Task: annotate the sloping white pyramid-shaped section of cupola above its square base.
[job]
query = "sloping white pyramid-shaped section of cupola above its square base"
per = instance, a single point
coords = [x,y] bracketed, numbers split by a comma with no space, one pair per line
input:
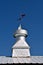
[19,45]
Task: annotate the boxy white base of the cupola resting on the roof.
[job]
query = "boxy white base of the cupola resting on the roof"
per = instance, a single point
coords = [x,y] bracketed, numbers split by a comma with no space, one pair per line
[21,53]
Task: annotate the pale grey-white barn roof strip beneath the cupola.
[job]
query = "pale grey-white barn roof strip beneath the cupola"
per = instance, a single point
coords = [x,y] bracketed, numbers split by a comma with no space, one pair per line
[31,59]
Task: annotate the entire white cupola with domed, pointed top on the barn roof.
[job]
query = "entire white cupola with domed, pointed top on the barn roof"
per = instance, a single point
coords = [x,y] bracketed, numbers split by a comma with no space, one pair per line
[20,48]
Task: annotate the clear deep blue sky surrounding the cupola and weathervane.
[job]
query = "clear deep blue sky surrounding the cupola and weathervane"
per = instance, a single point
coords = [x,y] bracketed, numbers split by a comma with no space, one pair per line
[10,10]
